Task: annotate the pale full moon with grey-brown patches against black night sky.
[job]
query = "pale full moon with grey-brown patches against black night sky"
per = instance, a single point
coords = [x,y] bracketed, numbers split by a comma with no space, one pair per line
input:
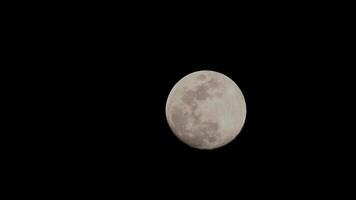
[206,109]
